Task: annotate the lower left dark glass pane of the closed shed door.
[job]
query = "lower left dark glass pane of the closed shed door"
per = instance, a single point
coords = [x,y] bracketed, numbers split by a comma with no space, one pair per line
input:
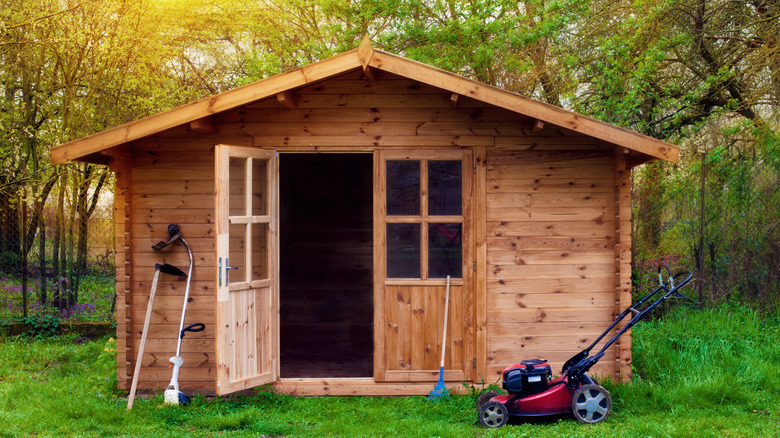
[403,251]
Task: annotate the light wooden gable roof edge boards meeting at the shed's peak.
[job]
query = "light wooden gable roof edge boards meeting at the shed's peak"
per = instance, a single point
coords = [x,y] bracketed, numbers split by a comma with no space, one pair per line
[367,58]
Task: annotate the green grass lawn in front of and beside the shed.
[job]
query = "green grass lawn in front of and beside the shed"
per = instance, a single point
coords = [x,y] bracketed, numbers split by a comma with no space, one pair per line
[697,373]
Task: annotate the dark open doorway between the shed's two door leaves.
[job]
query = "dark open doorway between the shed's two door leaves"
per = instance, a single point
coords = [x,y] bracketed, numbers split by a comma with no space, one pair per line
[326,265]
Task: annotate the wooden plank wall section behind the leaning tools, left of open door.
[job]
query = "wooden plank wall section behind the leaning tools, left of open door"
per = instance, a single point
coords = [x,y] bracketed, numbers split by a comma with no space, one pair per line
[172,182]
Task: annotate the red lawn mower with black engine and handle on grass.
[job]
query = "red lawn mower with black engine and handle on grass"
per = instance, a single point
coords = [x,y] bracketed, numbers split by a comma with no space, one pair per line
[531,391]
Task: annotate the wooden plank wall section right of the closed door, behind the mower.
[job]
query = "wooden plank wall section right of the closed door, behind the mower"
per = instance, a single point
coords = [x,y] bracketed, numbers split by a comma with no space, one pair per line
[550,250]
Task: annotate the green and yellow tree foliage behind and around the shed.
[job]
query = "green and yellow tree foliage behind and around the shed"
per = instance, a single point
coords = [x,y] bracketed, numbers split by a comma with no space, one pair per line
[701,74]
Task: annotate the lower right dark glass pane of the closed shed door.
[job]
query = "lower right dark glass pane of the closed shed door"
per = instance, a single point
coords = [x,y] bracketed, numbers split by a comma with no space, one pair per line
[445,256]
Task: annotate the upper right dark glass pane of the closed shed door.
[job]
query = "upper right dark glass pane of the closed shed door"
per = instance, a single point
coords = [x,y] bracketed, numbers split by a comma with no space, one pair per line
[444,188]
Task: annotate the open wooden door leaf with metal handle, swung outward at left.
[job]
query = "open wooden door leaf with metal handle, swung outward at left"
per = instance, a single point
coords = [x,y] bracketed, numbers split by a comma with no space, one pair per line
[247,314]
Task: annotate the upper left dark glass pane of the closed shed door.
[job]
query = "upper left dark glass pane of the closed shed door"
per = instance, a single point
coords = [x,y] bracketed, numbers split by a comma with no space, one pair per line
[403,188]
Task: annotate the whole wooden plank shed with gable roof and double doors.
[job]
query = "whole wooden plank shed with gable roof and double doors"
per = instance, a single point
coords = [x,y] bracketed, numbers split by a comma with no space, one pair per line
[344,192]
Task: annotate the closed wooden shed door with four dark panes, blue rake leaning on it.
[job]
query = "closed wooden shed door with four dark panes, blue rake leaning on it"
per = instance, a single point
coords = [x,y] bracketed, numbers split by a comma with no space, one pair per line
[422,233]
